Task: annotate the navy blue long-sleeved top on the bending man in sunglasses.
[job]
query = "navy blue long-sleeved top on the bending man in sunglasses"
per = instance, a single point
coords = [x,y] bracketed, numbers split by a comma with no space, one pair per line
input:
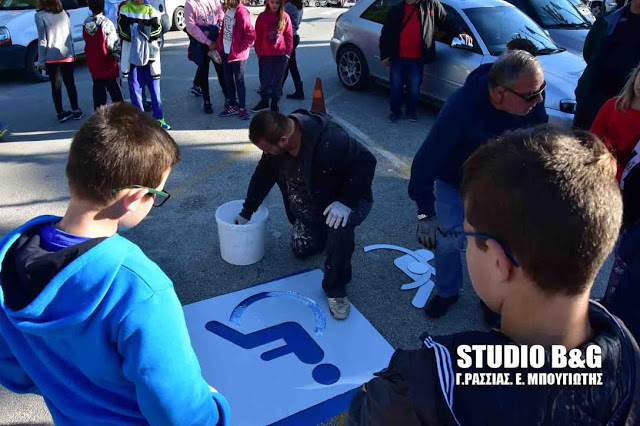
[467,121]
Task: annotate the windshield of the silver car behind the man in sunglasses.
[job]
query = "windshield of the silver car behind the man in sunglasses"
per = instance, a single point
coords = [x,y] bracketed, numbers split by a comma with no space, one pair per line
[513,24]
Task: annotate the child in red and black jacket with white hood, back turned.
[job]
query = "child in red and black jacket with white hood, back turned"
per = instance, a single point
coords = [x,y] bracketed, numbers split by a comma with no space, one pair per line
[102,49]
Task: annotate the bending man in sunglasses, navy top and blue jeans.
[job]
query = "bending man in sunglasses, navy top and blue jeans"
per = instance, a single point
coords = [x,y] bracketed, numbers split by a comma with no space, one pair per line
[483,108]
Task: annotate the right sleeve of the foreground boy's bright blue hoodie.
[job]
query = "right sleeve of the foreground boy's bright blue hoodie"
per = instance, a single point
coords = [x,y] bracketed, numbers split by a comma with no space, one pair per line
[158,358]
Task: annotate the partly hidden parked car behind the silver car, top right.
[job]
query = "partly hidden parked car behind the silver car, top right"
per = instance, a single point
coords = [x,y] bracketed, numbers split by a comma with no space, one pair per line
[561,19]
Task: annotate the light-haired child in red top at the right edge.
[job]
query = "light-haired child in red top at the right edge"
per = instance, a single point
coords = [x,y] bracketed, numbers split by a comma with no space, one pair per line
[618,121]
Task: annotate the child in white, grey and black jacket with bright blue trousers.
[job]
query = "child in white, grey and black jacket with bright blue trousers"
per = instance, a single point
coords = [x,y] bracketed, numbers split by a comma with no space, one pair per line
[140,28]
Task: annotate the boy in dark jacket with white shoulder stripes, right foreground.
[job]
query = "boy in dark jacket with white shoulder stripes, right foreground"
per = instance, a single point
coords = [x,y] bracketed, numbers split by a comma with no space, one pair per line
[543,212]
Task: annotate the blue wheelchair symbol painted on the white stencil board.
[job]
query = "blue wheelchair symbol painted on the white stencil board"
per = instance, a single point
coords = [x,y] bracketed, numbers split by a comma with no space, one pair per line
[297,340]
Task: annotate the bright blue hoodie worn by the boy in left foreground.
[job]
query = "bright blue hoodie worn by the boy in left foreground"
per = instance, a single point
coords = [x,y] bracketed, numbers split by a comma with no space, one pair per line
[99,332]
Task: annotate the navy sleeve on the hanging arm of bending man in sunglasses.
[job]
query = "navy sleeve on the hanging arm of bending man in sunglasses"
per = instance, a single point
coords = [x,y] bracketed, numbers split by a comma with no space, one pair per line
[434,155]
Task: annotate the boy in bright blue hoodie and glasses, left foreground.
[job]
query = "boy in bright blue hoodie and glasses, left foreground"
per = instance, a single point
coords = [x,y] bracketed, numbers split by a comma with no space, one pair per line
[86,319]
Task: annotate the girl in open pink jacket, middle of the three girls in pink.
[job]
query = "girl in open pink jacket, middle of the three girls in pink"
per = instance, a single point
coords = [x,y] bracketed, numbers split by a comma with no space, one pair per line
[238,35]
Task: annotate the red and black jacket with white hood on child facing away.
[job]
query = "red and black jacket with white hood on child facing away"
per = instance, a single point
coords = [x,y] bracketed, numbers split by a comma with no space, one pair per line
[102,47]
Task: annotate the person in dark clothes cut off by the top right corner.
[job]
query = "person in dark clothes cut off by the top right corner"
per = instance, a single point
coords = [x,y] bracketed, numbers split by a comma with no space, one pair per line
[612,51]
